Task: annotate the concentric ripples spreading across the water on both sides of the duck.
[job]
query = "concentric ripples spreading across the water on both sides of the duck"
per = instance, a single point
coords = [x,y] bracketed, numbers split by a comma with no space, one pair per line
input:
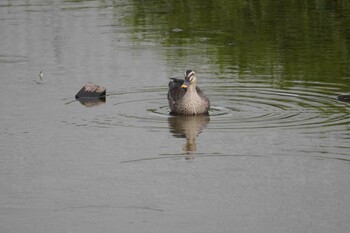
[246,106]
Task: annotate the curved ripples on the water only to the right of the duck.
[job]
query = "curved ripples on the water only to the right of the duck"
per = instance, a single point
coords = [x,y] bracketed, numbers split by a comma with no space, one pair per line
[298,107]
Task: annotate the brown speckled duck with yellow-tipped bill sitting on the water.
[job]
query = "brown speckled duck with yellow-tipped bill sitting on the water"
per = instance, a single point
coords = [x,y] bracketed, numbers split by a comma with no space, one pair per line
[185,97]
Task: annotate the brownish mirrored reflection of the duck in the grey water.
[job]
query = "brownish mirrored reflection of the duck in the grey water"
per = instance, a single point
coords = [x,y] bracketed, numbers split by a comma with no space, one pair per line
[188,127]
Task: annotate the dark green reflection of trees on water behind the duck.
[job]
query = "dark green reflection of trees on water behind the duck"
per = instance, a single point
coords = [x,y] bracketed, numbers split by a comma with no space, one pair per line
[305,38]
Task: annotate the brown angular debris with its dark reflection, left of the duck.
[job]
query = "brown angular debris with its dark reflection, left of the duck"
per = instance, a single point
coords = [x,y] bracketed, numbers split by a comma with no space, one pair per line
[91,95]
